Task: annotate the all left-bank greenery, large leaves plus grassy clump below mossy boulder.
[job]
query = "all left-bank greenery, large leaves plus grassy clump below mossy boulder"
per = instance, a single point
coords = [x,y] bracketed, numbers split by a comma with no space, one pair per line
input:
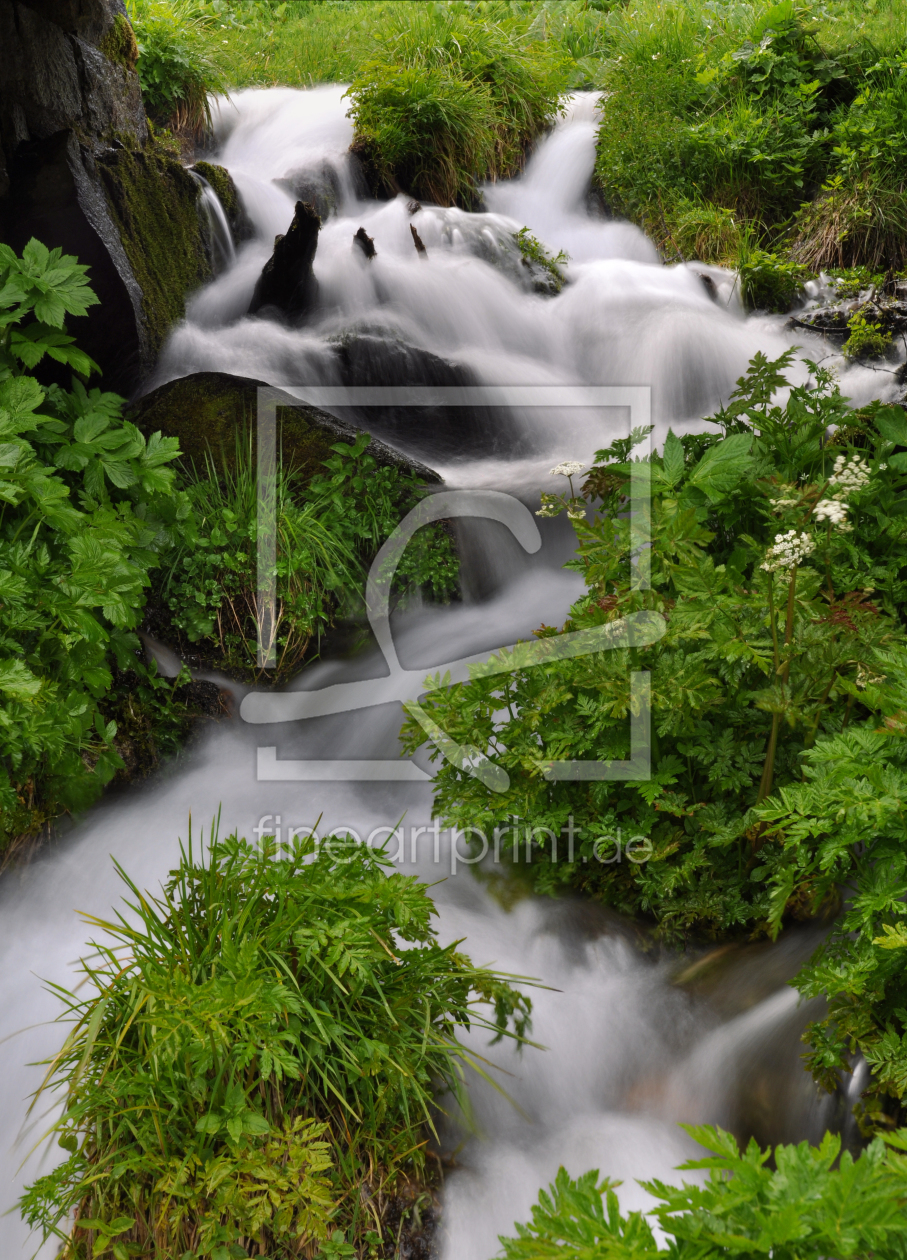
[93,518]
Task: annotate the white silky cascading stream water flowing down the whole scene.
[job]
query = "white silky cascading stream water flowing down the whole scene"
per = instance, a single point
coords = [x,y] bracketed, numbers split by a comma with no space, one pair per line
[629,1054]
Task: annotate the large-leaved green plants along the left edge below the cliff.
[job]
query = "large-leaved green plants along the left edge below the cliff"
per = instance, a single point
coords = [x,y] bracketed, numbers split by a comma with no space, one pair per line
[86,506]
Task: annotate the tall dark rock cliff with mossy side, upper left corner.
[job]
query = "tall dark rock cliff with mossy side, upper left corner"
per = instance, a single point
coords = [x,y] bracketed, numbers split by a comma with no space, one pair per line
[79,171]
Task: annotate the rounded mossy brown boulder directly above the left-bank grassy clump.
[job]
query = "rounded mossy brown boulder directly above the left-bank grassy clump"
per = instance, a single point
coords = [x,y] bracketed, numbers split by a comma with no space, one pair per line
[211,411]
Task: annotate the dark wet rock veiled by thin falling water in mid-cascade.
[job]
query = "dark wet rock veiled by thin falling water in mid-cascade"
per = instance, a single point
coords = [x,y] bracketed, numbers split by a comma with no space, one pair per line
[377,357]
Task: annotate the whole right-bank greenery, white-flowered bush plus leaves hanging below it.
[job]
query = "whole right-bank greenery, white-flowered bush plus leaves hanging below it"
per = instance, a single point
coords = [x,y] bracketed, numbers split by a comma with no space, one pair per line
[778,566]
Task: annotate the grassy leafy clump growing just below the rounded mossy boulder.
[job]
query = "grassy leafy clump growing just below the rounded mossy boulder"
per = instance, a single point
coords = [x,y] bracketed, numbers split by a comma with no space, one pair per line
[327,532]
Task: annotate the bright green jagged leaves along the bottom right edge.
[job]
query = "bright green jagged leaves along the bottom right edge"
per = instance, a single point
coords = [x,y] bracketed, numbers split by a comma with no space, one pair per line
[807,1208]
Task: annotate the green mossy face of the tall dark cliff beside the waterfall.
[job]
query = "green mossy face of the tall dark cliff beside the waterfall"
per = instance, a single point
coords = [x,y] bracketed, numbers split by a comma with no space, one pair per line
[154,202]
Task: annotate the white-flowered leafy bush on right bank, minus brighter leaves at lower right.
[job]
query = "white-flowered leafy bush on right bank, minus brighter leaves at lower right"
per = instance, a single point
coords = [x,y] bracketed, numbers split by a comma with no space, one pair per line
[778,568]
